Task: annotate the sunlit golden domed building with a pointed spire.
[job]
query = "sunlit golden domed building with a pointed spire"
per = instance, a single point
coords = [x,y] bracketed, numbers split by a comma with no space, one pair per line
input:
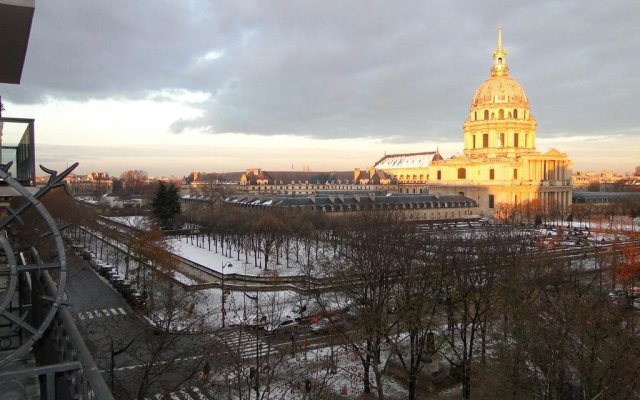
[500,165]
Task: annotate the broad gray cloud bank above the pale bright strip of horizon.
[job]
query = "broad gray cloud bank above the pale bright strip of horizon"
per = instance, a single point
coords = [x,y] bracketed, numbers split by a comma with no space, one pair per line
[341,69]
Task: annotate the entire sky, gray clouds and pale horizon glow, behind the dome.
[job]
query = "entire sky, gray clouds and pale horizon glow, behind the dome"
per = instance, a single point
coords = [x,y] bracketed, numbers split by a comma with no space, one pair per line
[172,87]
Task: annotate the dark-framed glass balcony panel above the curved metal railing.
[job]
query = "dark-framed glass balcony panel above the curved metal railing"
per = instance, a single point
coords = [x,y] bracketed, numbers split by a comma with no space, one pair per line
[17,145]
